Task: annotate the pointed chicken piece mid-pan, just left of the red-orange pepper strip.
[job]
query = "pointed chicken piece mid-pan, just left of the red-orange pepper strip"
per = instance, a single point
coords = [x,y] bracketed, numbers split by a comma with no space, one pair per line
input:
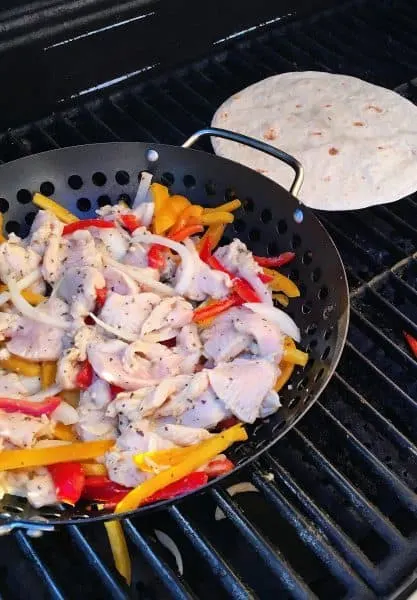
[174,312]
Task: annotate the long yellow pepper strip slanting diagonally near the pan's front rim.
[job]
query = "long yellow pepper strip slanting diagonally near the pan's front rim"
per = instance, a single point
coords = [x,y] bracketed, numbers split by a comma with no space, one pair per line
[206,451]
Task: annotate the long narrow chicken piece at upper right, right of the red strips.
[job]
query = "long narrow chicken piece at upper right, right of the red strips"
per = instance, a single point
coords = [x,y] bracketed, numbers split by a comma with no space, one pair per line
[237,259]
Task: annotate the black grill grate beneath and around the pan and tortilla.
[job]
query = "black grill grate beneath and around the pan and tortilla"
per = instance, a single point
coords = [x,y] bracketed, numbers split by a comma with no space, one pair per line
[336,512]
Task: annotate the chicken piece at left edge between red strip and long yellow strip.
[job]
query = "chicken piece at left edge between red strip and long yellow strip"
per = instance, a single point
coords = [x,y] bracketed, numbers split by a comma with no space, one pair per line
[22,430]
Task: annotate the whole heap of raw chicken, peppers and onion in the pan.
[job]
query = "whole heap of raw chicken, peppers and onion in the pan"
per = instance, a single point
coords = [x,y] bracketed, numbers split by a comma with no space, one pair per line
[133,350]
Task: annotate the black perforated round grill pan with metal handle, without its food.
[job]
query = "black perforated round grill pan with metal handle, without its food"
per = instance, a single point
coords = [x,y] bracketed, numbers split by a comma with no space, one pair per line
[82,178]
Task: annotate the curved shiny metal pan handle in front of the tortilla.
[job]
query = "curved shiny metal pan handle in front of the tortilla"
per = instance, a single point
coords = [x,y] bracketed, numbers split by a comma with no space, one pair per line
[257,145]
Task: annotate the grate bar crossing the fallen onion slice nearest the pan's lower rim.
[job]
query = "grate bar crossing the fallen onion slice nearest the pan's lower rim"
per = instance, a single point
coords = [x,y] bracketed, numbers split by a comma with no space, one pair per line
[275,562]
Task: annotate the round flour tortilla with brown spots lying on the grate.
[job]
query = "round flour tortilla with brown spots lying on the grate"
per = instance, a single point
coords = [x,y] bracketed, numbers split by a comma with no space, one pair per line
[356,141]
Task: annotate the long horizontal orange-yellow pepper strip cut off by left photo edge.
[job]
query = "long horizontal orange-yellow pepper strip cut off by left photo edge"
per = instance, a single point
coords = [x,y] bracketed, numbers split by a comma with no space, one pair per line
[41,457]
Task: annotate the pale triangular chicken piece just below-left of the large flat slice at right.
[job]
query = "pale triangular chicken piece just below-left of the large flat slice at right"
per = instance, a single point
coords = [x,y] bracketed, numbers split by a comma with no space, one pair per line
[206,412]
